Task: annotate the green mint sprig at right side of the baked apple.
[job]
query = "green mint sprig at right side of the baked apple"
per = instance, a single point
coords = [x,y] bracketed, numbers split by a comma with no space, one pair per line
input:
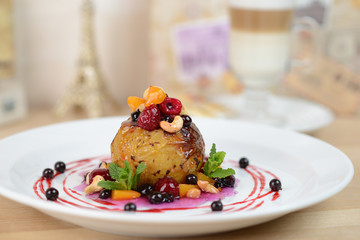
[211,167]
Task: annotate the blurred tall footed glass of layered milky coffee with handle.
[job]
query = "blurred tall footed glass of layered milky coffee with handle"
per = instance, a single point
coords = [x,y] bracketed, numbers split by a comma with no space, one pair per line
[260,39]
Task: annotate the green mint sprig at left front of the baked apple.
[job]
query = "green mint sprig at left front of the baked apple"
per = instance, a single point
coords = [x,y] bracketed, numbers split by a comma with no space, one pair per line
[124,177]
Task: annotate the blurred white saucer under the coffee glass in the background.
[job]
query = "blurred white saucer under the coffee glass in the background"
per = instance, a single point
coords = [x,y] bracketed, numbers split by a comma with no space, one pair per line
[300,115]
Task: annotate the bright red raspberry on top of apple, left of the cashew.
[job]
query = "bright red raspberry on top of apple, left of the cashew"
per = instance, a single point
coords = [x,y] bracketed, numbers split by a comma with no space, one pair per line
[150,118]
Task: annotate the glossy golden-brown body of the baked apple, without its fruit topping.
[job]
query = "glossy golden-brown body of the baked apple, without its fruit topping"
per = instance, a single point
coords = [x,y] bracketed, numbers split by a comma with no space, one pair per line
[165,154]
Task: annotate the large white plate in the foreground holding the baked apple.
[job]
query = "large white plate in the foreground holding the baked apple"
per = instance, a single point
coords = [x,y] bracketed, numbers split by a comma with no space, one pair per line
[310,170]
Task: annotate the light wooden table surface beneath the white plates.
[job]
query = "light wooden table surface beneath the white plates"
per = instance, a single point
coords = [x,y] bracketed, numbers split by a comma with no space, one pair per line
[335,218]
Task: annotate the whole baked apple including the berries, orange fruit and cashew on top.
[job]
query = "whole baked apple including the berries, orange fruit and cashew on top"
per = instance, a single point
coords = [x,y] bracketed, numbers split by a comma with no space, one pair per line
[161,135]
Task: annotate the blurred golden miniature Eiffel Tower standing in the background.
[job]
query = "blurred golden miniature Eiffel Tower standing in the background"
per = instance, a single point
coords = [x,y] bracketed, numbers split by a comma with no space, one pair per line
[87,89]
